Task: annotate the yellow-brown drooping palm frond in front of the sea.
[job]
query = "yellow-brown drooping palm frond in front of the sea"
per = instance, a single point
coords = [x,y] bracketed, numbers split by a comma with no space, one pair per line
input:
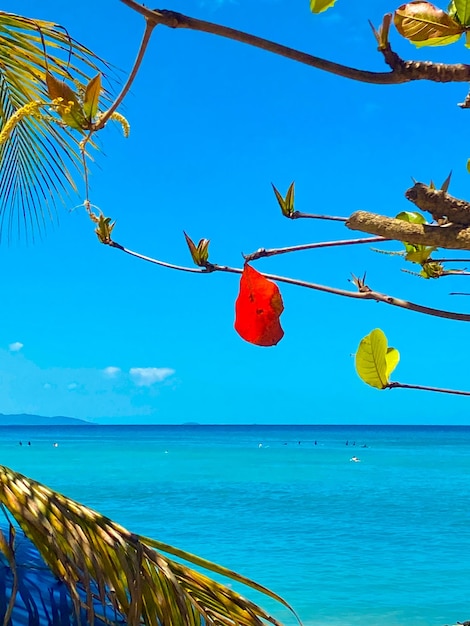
[130,575]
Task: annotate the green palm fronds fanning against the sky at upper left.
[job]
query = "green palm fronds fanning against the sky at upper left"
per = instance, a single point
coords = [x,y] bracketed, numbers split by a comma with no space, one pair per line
[40,160]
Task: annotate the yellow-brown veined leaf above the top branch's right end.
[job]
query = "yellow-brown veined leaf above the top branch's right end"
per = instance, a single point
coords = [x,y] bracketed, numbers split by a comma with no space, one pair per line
[425,25]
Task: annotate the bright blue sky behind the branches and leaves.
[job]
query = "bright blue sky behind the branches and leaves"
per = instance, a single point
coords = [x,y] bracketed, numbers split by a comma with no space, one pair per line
[92,333]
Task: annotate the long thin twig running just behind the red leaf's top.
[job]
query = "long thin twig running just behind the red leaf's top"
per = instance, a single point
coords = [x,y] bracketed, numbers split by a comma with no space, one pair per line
[364,292]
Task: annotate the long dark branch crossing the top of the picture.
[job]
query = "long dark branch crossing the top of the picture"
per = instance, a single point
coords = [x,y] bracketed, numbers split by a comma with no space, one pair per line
[403,72]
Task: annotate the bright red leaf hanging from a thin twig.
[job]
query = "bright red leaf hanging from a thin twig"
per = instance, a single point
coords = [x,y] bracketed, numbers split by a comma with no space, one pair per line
[258,308]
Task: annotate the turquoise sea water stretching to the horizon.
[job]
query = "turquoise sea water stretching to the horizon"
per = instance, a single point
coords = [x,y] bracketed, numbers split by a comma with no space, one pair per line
[382,541]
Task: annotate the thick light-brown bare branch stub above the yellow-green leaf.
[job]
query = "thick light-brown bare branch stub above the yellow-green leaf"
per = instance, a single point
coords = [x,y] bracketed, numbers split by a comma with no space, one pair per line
[447,236]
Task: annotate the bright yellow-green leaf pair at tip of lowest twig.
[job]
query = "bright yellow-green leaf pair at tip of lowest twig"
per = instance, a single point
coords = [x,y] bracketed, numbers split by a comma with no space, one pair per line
[374,360]
